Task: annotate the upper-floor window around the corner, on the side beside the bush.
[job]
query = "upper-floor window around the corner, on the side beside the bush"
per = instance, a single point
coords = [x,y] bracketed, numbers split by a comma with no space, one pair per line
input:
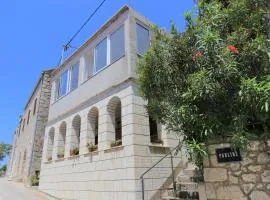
[143,39]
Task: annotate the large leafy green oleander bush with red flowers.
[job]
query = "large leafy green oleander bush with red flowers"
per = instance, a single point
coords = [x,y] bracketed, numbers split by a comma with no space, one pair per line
[212,82]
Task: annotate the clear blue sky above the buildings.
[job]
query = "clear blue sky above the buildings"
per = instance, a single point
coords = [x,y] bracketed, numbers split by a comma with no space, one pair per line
[32,33]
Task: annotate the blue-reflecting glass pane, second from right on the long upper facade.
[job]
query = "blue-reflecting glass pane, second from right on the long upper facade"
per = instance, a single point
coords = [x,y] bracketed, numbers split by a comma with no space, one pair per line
[101,55]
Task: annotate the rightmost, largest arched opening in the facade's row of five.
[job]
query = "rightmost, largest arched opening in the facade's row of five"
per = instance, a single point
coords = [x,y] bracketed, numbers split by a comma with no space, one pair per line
[115,112]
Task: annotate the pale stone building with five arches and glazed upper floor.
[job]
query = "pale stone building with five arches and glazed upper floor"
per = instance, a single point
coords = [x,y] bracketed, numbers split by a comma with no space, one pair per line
[99,138]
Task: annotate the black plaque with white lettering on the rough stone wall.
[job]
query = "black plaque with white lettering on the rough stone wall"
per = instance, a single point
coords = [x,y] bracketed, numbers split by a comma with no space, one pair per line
[228,155]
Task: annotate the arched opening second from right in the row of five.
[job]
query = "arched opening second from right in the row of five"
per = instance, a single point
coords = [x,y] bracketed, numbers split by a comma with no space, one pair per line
[92,129]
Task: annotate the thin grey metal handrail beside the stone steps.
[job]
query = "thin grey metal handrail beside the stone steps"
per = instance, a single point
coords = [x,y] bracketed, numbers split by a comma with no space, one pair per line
[169,153]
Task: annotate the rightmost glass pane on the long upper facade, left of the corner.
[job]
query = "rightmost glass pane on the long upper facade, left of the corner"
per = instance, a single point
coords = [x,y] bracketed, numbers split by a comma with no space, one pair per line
[117,44]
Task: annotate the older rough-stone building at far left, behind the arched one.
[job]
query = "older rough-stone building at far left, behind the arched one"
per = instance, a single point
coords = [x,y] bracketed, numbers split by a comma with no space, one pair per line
[25,158]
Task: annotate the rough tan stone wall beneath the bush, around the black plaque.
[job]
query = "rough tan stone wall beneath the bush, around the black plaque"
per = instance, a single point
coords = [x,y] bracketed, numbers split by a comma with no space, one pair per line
[247,179]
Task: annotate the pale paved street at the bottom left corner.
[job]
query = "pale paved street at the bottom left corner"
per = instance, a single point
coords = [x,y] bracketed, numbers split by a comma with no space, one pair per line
[10,190]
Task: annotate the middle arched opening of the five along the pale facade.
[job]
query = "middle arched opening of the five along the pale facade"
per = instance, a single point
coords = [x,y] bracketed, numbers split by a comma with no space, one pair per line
[75,136]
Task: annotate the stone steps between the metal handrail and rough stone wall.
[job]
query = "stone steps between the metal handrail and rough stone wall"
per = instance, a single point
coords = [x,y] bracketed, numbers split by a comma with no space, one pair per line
[186,187]
